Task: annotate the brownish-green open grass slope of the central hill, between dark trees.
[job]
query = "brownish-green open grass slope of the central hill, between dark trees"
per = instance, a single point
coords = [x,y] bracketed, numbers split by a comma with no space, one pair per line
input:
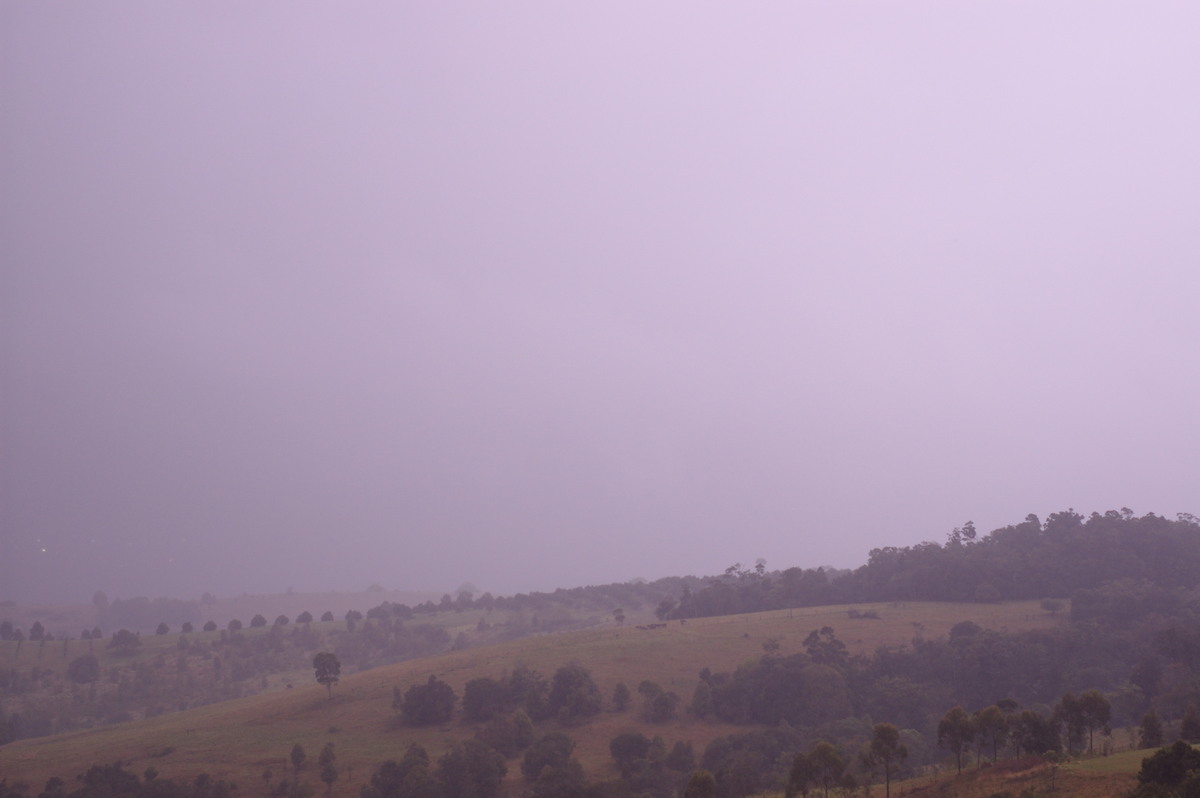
[241,740]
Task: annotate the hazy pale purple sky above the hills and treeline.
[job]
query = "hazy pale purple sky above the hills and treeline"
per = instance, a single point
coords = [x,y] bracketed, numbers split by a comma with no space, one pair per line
[316,296]
